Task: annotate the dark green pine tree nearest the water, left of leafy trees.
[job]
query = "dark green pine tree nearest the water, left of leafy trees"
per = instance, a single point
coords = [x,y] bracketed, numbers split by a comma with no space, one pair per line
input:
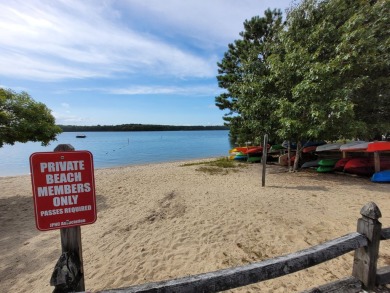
[238,72]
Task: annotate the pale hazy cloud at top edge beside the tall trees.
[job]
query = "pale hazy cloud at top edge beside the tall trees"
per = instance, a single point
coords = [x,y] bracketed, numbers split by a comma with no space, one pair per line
[217,22]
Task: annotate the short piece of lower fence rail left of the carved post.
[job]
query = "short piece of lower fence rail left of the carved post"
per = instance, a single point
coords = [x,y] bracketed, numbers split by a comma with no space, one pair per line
[346,285]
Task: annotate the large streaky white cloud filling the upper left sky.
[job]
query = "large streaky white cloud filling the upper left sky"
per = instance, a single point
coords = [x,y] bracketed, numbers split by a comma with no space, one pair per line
[47,40]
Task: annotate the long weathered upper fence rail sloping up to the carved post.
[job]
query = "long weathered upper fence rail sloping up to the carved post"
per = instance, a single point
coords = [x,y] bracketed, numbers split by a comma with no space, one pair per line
[244,275]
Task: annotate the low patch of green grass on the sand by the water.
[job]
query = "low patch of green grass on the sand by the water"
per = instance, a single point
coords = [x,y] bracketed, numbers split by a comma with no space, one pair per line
[219,166]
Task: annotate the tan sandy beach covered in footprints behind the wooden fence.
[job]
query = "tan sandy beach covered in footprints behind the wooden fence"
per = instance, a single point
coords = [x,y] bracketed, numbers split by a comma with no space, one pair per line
[162,221]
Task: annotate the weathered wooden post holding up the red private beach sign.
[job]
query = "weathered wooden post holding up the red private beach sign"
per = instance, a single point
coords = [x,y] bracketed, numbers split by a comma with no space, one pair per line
[71,237]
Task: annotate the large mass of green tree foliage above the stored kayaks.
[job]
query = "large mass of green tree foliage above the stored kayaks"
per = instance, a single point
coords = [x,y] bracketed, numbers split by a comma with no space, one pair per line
[322,75]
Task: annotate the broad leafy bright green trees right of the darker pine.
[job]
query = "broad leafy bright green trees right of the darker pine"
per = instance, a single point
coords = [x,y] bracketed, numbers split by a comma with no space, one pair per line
[332,71]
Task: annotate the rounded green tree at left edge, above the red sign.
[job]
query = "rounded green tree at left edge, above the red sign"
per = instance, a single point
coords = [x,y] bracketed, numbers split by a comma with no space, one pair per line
[22,119]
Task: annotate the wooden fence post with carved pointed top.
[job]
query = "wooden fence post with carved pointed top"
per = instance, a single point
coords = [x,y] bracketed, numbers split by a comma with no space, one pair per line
[365,259]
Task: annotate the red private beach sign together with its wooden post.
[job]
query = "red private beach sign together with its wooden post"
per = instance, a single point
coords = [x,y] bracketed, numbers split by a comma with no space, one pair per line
[64,198]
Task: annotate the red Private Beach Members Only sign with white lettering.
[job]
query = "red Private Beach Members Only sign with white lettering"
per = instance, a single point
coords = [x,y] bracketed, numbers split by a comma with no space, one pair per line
[63,189]
